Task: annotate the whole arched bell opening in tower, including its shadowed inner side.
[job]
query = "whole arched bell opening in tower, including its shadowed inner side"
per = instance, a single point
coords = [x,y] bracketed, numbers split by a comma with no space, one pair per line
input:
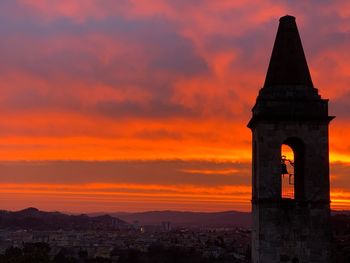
[292,169]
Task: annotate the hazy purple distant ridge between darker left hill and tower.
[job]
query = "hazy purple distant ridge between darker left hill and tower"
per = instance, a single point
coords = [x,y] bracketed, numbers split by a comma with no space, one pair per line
[188,219]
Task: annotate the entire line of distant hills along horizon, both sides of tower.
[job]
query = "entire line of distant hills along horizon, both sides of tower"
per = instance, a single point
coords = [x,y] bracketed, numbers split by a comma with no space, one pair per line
[32,218]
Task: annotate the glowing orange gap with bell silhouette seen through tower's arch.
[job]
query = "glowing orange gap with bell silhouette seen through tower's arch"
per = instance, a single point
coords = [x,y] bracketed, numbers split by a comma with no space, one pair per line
[287,172]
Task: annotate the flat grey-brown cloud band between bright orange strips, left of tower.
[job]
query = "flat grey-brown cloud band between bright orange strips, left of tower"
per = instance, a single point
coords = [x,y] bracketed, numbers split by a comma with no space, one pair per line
[173,172]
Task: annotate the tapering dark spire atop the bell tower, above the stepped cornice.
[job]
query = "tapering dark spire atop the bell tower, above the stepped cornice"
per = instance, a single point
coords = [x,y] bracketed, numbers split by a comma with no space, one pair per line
[288,64]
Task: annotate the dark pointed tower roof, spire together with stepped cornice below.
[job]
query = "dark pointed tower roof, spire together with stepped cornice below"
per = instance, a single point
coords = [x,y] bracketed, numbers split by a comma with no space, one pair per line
[288,93]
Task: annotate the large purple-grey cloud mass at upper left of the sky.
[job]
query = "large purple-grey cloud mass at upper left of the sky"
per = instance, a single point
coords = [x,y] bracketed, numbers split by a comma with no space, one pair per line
[163,47]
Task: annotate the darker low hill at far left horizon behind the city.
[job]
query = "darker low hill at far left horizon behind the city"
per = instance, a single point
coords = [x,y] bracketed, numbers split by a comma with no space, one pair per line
[32,218]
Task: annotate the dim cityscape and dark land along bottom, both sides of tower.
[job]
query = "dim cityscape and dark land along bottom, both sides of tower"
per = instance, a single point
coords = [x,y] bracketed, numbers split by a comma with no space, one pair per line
[24,237]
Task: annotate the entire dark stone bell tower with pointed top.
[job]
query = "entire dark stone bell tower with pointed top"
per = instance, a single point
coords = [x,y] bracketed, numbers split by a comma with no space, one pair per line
[289,111]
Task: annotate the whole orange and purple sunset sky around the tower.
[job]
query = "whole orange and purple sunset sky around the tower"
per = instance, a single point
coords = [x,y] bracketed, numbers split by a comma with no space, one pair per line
[134,105]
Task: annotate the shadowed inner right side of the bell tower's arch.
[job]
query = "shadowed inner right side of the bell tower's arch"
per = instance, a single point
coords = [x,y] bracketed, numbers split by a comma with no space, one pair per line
[298,147]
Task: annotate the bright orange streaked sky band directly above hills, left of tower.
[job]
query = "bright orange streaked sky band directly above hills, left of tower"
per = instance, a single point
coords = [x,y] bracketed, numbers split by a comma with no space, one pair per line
[102,196]
